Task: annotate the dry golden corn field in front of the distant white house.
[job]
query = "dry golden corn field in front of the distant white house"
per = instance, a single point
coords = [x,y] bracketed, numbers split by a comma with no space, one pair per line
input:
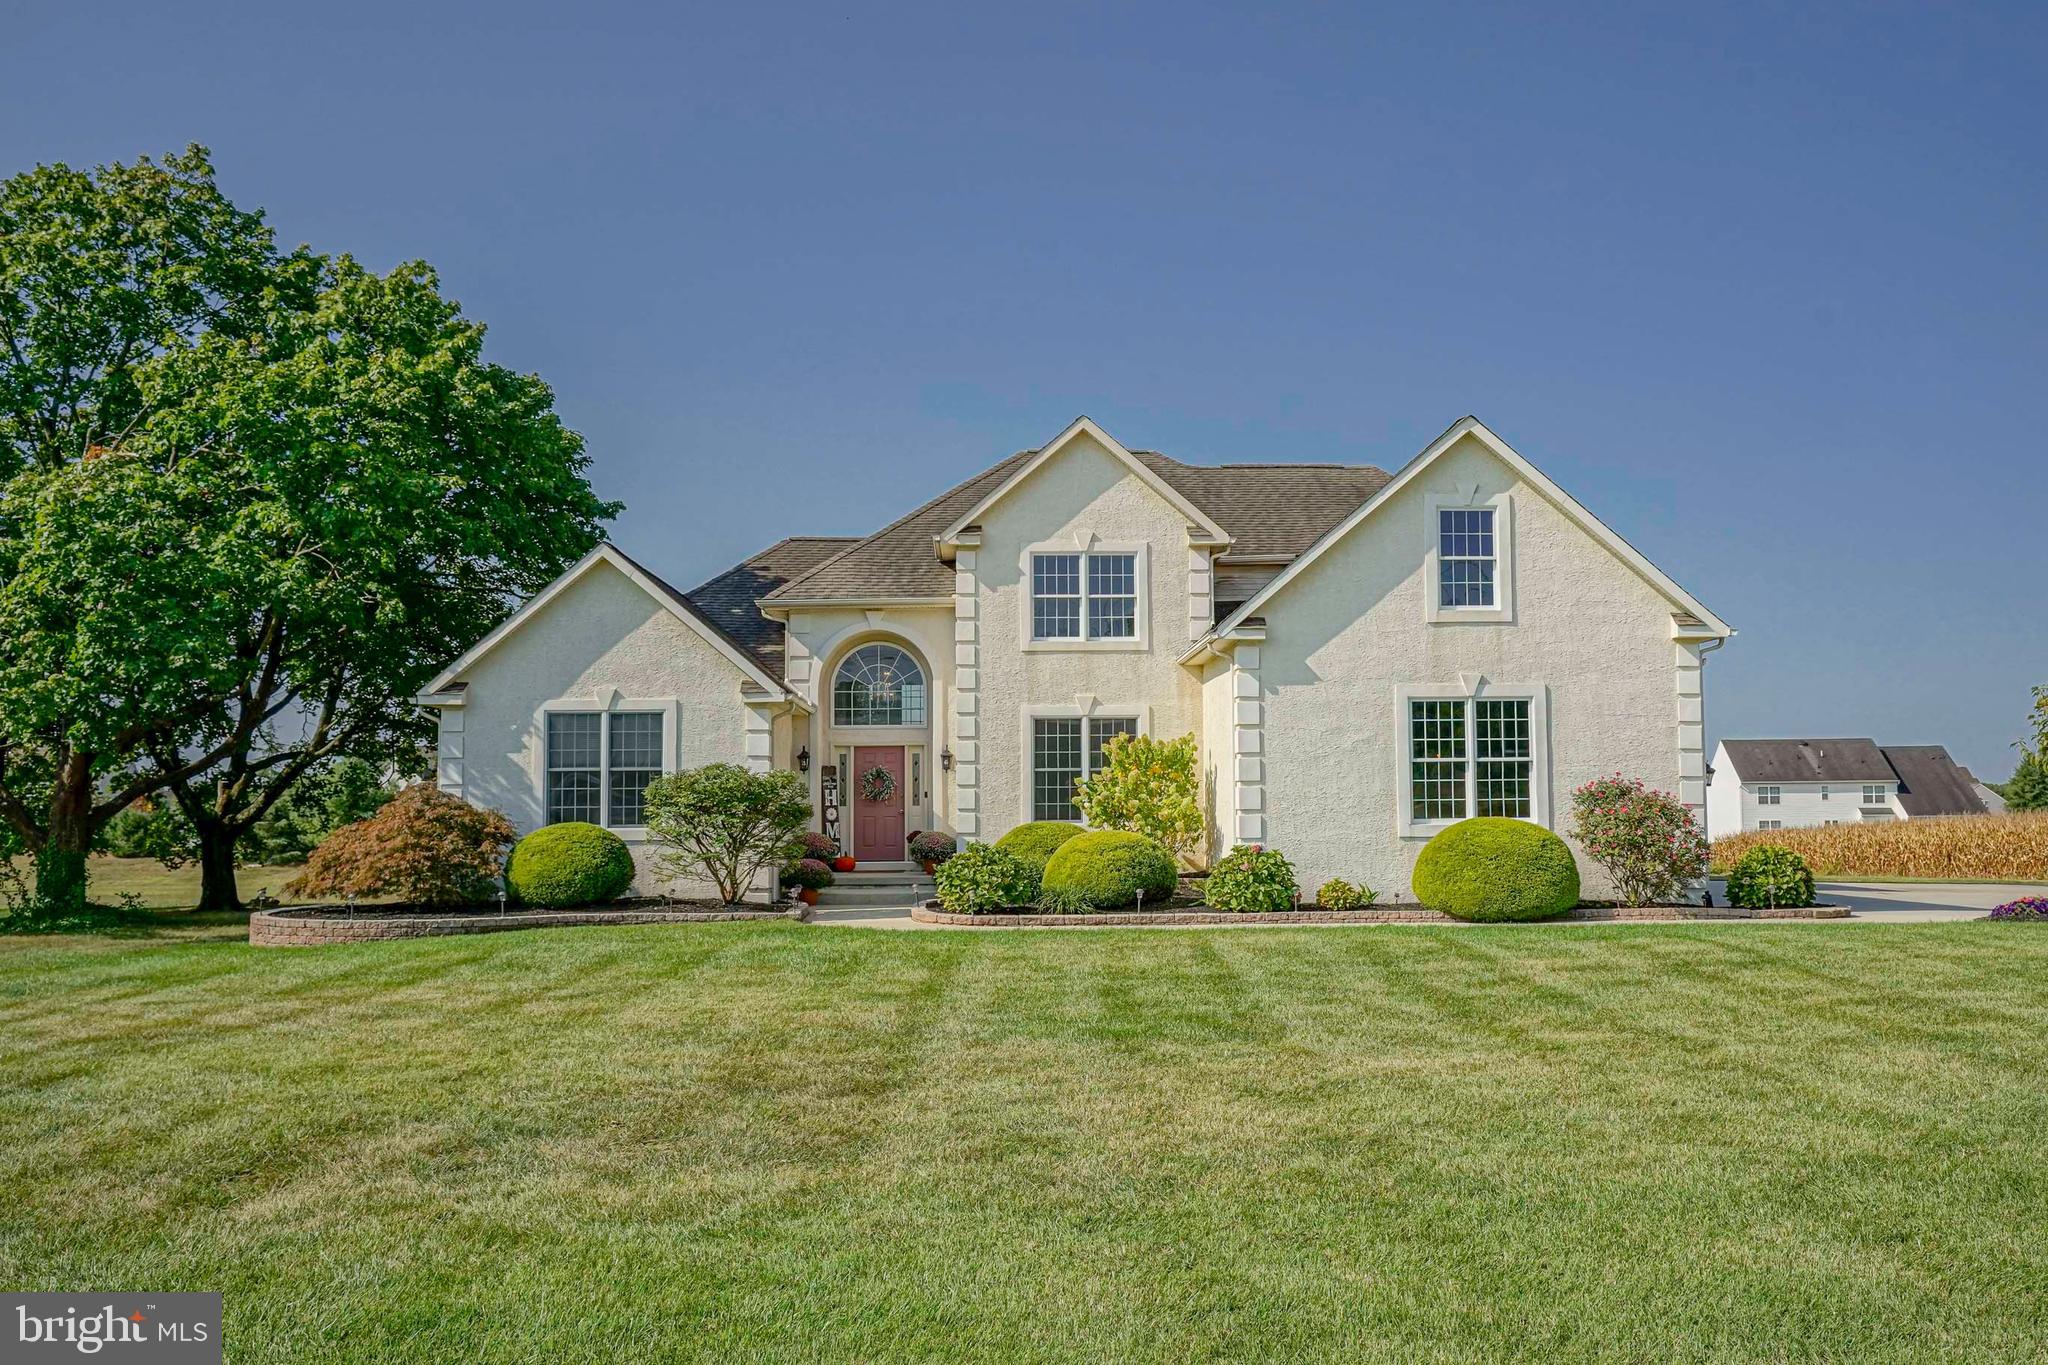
[2010,848]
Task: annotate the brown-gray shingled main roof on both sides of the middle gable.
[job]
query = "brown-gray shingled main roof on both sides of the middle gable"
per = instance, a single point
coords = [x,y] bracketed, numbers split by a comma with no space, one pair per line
[1271,513]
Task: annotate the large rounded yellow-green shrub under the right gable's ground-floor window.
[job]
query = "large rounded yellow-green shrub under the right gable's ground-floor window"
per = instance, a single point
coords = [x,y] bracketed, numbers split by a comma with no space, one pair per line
[1494,869]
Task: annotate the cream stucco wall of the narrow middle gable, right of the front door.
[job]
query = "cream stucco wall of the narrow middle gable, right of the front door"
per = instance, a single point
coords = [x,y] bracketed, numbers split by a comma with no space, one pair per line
[1084,494]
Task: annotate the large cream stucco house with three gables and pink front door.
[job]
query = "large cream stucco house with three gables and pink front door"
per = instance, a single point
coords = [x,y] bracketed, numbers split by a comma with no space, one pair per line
[1365,658]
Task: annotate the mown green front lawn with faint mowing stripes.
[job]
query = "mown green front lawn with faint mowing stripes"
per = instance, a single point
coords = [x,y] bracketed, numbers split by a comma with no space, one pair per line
[800,1143]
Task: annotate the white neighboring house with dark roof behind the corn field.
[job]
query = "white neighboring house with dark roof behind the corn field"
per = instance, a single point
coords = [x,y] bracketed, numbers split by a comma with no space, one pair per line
[1793,783]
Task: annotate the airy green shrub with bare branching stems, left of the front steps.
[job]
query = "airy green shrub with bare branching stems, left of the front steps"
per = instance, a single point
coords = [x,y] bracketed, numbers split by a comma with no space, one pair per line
[728,824]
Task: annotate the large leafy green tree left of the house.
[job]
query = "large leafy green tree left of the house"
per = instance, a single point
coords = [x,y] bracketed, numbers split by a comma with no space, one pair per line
[255,498]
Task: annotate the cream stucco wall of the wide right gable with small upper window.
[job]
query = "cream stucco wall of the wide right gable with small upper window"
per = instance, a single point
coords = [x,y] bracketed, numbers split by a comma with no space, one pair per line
[1351,631]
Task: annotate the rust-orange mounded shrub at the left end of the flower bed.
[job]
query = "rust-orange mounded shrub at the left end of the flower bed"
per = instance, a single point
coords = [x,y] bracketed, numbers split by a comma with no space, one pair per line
[425,846]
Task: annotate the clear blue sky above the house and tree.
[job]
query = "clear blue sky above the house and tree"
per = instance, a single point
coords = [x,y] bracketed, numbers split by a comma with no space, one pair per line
[1762,285]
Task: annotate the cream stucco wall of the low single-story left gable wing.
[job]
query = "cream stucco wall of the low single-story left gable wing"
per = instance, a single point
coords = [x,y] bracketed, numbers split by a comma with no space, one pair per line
[603,642]
